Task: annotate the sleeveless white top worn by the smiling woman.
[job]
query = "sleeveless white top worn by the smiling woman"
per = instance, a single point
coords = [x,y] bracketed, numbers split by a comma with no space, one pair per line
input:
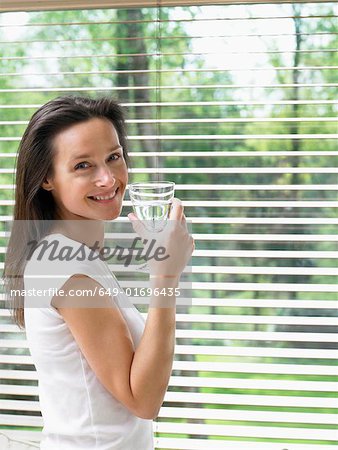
[78,412]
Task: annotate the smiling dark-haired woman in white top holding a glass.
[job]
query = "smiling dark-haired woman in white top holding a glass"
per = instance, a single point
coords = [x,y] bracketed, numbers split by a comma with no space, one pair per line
[103,371]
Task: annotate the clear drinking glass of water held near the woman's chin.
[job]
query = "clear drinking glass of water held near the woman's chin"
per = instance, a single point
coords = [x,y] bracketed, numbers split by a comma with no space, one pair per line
[151,202]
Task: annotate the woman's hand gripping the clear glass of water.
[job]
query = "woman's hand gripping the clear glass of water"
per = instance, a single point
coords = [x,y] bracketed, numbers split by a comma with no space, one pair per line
[175,239]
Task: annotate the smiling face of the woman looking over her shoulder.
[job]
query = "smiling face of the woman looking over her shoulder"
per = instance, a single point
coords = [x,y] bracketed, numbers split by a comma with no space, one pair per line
[90,174]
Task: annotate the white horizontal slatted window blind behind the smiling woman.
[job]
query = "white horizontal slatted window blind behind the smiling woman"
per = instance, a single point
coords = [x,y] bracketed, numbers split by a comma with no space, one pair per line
[237,105]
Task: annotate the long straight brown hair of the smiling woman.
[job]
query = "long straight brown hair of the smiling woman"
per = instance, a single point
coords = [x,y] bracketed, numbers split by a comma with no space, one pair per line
[34,164]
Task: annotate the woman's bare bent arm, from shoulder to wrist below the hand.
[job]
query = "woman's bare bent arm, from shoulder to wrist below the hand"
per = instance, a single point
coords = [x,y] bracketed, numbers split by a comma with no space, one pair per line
[137,379]
